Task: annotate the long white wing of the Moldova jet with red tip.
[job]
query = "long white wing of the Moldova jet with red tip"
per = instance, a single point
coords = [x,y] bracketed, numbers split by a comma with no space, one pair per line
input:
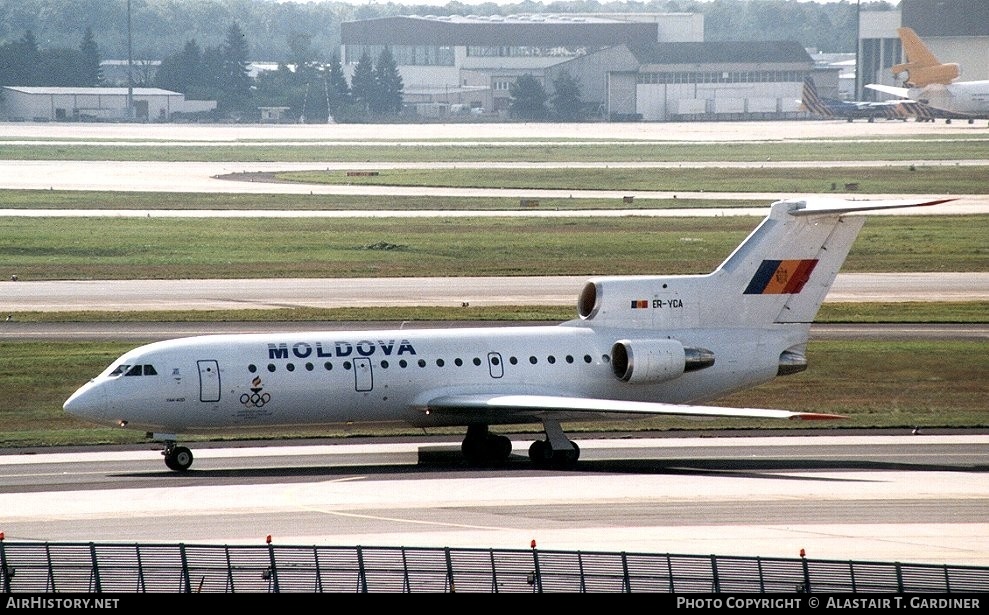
[496,408]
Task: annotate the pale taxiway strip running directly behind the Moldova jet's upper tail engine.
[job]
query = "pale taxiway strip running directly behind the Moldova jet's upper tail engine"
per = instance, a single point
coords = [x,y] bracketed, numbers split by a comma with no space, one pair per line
[143,295]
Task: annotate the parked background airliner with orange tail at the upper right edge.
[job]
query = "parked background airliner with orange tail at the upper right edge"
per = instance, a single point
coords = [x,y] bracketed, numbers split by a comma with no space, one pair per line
[933,83]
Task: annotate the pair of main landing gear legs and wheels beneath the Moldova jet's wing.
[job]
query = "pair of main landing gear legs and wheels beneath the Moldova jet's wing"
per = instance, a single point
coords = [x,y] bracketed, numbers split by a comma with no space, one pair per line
[482,448]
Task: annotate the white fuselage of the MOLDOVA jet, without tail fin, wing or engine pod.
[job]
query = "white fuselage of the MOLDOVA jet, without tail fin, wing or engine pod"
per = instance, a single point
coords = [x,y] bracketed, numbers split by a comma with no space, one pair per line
[264,381]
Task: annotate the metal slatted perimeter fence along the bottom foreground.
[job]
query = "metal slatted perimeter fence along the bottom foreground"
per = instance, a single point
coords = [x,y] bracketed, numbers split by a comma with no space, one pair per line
[185,568]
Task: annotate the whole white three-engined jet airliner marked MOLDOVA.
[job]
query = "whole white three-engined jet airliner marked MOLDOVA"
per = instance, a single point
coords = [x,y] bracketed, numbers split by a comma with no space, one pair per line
[640,346]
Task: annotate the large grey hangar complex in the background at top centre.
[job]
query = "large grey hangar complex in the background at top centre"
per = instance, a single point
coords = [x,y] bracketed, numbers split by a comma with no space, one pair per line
[653,67]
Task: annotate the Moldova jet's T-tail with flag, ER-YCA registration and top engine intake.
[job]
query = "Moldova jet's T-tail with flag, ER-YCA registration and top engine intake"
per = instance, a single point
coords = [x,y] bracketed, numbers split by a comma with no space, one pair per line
[780,274]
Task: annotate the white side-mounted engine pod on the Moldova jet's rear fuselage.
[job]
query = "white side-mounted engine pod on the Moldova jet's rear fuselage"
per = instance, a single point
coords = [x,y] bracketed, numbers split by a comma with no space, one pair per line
[651,361]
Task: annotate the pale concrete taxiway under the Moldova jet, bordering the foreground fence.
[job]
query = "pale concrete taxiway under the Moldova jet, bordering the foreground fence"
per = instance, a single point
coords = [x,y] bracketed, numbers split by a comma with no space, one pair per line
[919,499]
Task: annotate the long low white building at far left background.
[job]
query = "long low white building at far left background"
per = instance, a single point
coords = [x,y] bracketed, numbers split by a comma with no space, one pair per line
[39,104]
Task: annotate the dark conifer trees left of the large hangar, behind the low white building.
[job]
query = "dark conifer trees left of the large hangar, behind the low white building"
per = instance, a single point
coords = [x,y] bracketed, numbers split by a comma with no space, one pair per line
[312,91]
